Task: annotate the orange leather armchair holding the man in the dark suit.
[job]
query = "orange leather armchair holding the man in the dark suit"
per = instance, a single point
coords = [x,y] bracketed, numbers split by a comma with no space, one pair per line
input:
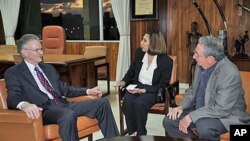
[15,125]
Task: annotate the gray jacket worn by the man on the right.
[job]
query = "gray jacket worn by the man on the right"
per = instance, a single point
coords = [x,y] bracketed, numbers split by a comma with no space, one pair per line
[224,96]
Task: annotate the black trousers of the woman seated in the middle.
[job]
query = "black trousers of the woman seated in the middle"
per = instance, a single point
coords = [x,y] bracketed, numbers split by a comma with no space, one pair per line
[136,108]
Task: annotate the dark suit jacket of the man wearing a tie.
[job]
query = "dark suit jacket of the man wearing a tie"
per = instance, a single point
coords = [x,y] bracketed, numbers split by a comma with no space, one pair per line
[21,85]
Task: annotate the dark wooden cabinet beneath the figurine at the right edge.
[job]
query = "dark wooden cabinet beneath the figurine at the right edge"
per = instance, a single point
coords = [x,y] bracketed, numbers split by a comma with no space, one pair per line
[242,64]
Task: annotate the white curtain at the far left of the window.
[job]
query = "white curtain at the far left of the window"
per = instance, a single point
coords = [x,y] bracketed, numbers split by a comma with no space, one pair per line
[10,11]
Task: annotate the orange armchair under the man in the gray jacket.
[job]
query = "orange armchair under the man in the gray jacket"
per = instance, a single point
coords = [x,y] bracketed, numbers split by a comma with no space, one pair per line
[245,77]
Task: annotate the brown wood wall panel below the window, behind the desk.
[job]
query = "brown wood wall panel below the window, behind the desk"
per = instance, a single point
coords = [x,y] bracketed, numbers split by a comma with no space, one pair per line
[78,48]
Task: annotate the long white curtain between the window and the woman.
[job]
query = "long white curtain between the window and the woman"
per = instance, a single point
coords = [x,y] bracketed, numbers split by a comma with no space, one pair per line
[121,13]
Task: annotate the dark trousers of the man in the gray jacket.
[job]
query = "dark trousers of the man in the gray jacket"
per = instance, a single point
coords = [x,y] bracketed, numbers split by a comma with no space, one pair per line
[206,128]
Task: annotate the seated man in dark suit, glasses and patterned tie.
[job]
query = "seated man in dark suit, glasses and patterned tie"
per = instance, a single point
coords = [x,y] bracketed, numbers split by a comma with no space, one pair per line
[35,88]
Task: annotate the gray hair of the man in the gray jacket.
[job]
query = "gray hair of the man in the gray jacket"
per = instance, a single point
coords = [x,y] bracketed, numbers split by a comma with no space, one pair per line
[212,47]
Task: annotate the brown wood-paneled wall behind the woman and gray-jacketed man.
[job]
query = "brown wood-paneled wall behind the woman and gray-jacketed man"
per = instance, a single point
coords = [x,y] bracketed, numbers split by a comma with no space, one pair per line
[175,20]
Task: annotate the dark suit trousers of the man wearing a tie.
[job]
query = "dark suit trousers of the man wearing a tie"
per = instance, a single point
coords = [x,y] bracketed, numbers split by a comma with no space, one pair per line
[65,115]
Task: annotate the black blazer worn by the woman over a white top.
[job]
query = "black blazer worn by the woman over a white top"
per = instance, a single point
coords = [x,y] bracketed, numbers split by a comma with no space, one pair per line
[162,74]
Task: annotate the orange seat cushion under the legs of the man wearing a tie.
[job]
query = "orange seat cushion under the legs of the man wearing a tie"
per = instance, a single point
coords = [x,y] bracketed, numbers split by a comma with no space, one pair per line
[83,123]
